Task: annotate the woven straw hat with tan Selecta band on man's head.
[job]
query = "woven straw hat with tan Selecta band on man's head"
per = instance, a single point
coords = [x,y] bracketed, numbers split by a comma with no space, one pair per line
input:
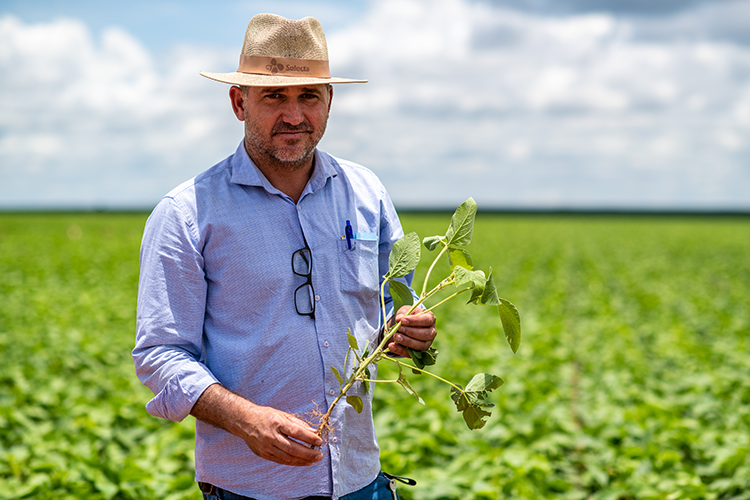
[282,52]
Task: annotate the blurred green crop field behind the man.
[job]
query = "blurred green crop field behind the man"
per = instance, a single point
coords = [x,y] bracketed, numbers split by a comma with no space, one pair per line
[632,380]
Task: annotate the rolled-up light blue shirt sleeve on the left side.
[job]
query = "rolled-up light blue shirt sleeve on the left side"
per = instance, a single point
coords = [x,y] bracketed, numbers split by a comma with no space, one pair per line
[169,351]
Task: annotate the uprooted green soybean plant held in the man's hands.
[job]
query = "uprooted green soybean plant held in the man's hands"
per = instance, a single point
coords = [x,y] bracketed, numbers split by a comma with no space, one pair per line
[471,401]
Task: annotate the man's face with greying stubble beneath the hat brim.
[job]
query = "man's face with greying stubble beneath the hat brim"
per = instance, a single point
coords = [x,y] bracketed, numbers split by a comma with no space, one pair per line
[283,124]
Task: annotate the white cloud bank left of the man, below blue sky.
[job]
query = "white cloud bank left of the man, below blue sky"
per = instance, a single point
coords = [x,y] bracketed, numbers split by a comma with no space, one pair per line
[95,122]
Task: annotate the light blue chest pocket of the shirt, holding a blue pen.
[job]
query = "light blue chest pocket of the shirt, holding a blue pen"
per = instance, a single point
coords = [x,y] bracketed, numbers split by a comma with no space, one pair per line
[359,268]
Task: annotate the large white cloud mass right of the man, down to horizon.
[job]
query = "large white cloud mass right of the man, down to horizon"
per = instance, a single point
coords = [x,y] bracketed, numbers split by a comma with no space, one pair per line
[577,106]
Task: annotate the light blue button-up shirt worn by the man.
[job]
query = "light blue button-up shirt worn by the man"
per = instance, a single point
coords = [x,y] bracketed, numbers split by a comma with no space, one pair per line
[215,304]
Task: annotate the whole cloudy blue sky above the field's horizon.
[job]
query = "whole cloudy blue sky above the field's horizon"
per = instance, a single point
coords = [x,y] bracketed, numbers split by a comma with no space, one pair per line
[522,104]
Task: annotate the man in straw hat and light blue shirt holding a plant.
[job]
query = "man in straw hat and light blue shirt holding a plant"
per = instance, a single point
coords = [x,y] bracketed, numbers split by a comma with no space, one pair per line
[249,284]
